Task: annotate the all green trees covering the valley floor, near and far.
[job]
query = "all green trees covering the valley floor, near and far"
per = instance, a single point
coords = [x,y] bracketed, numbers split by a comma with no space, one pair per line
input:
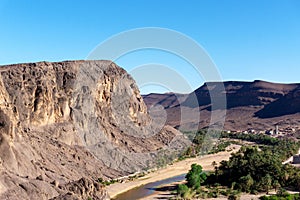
[253,169]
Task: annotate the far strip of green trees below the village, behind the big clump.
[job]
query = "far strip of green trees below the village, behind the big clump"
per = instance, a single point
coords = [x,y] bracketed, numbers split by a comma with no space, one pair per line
[204,142]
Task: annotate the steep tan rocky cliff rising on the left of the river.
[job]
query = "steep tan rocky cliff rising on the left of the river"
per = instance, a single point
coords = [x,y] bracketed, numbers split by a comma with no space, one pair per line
[63,121]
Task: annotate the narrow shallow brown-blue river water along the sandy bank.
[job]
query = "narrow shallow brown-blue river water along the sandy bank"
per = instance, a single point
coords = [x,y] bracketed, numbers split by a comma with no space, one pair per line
[148,189]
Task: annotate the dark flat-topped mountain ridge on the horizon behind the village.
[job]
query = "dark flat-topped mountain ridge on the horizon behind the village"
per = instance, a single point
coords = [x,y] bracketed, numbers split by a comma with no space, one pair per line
[256,105]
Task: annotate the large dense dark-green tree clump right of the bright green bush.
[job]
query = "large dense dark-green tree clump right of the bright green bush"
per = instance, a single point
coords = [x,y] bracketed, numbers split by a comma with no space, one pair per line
[251,170]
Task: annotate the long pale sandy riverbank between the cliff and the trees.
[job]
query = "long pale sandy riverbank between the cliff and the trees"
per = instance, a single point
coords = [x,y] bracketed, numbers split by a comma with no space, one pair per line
[176,169]
